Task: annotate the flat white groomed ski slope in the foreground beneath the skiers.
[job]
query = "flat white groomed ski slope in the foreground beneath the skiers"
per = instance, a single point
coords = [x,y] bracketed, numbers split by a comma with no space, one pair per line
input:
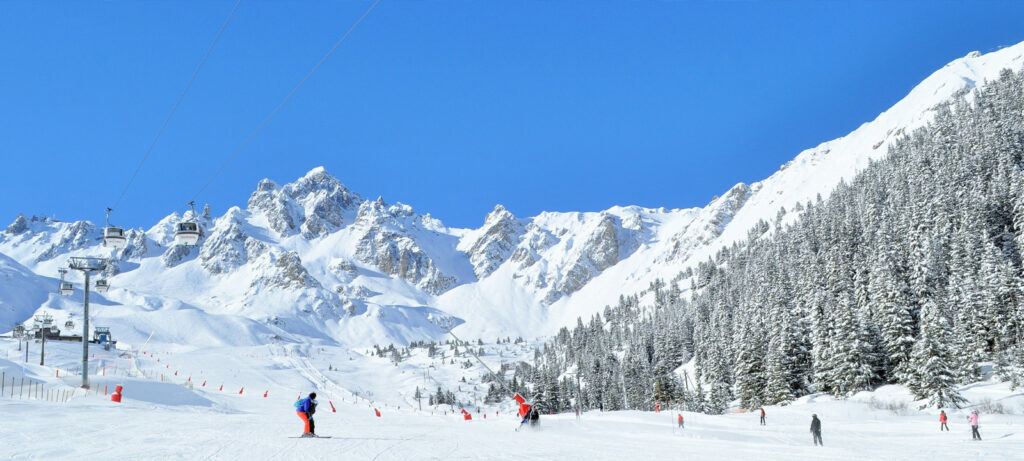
[163,416]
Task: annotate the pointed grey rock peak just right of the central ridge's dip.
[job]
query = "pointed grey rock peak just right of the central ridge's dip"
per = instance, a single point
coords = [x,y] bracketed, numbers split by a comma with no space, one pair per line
[496,245]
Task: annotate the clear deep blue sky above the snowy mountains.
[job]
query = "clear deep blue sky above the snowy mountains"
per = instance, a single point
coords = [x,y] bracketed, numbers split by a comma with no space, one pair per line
[452,107]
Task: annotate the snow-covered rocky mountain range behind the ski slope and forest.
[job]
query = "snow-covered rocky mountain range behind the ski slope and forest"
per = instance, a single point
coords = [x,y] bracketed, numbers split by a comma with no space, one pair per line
[315,260]
